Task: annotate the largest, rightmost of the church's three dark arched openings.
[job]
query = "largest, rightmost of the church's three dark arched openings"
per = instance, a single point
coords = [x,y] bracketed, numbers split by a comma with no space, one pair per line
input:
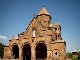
[41,51]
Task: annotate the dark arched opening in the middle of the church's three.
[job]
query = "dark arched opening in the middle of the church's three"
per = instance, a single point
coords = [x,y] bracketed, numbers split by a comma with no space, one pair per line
[26,52]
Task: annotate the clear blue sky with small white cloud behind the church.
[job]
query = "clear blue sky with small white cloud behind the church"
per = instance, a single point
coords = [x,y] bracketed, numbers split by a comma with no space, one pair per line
[15,16]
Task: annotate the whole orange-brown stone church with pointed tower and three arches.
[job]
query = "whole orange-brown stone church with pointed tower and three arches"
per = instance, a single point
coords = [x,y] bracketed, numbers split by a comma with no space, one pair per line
[41,41]
